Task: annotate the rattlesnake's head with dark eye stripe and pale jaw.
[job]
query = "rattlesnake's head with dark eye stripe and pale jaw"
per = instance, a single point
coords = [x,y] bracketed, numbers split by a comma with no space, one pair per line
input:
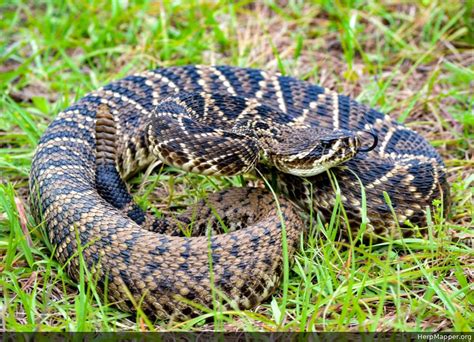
[307,152]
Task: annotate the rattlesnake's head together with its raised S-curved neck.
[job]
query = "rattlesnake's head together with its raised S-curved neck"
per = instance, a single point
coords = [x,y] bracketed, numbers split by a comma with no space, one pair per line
[217,134]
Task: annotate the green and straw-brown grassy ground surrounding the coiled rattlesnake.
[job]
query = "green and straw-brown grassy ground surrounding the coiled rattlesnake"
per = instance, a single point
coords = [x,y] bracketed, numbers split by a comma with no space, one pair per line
[412,60]
